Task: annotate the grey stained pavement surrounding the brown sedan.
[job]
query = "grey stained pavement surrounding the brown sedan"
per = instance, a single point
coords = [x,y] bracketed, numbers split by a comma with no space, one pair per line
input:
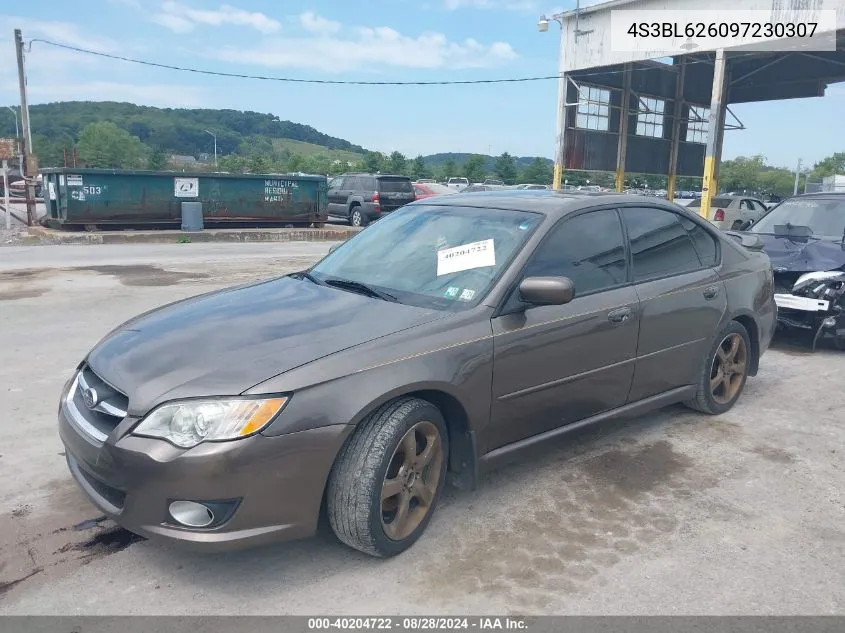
[670,513]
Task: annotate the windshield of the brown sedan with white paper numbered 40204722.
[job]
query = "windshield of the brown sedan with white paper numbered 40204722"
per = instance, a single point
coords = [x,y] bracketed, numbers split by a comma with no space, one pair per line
[441,257]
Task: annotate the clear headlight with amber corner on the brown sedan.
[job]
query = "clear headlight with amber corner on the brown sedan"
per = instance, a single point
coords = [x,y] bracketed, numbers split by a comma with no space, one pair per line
[191,422]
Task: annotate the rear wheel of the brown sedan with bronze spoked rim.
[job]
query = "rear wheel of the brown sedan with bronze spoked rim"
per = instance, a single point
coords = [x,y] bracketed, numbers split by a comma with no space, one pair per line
[715,400]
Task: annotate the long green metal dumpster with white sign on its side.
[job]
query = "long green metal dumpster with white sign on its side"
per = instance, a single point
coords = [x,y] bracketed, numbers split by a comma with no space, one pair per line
[80,197]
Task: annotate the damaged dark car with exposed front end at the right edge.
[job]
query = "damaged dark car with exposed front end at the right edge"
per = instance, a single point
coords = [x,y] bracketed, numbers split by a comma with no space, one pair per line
[803,236]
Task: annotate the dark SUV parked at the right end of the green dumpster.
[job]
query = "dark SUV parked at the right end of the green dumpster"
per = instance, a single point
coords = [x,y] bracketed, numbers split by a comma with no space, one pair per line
[362,198]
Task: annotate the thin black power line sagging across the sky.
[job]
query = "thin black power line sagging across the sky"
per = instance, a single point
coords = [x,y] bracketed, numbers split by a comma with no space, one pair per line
[216,73]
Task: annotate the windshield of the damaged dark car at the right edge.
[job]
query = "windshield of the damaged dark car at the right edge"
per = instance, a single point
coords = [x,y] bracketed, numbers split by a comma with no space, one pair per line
[825,217]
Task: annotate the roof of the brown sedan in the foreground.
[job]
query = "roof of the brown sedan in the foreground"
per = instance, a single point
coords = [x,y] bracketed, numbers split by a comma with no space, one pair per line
[545,201]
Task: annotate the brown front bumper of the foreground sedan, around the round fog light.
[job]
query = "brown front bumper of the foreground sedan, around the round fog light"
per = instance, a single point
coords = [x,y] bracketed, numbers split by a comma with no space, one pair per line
[266,489]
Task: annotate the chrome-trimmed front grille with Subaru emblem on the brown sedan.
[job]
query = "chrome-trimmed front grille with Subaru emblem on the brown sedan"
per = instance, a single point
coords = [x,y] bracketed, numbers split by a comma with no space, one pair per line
[108,410]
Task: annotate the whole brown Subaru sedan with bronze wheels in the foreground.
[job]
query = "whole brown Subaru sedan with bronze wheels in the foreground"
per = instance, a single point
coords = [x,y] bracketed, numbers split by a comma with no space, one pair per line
[446,336]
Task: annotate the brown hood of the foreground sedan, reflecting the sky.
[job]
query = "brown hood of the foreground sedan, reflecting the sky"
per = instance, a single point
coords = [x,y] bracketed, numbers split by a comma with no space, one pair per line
[226,342]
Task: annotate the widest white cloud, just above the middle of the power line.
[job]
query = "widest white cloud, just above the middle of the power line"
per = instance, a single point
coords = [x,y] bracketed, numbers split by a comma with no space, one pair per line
[362,47]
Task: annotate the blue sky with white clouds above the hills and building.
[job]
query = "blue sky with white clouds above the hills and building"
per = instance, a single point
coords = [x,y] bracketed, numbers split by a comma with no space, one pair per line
[372,40]
